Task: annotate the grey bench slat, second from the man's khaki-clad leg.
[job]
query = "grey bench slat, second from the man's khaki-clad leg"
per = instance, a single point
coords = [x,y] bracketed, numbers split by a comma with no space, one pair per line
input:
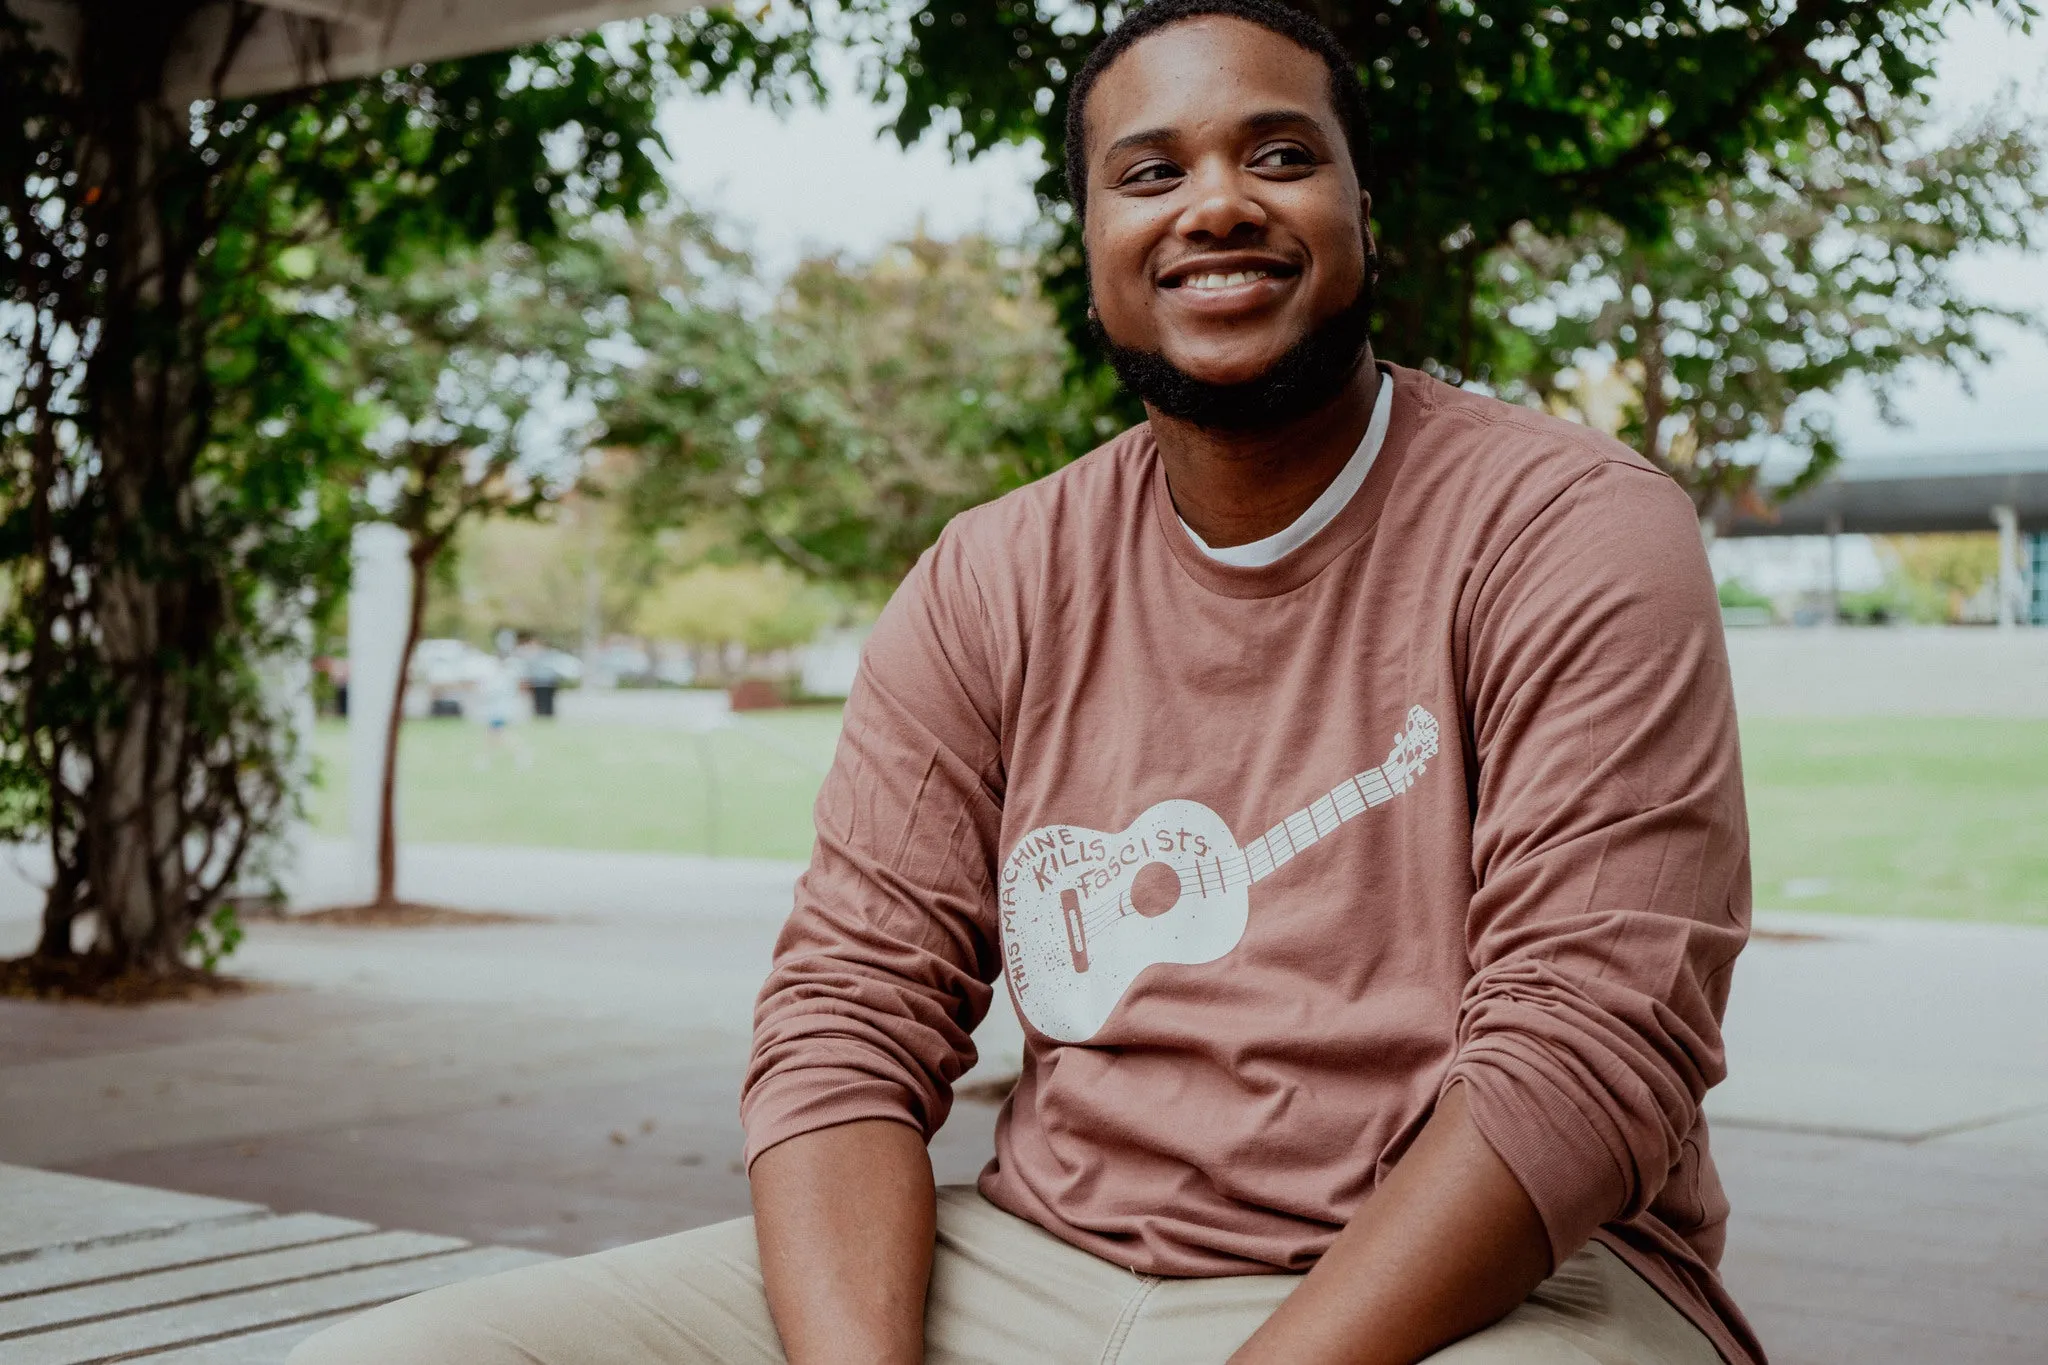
[214,1278]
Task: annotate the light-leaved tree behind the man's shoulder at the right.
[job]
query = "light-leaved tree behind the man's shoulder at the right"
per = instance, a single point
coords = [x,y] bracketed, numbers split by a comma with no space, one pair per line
[1791,281]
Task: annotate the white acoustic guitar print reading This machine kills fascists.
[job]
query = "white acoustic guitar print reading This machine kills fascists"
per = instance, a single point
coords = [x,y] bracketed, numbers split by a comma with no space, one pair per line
[1086,912]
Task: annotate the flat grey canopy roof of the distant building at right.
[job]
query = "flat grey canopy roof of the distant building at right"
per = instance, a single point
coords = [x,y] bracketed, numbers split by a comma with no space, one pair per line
[1914,496]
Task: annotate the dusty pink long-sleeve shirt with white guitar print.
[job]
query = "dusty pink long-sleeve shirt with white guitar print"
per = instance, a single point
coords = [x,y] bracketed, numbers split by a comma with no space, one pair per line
[1273,856]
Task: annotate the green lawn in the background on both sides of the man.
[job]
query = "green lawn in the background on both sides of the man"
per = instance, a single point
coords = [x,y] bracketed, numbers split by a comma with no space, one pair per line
[1934,820]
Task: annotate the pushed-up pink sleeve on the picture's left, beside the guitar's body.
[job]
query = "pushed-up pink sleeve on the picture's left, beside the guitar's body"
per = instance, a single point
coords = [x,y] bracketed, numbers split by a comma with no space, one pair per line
[886,963]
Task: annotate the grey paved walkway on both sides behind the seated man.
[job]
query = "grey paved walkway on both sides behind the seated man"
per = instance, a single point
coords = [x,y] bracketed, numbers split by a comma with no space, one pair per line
[568,1086]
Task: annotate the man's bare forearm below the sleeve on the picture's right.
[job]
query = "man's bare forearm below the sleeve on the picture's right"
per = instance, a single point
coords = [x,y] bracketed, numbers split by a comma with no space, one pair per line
[1445,1247]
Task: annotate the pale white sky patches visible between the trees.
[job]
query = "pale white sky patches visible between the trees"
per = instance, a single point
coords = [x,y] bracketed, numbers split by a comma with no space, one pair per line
[822,179]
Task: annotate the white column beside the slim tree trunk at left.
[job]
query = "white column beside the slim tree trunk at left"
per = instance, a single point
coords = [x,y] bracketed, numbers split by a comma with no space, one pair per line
[380,597]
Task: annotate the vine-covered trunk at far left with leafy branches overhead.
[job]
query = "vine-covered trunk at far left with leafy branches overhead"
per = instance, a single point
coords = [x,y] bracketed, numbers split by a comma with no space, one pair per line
[173,406]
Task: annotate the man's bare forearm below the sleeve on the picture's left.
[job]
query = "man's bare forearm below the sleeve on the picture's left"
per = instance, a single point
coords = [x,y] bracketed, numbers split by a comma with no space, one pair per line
[845,1219]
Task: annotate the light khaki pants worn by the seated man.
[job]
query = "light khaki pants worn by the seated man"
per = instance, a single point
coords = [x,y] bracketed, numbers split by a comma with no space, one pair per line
[1002,1290]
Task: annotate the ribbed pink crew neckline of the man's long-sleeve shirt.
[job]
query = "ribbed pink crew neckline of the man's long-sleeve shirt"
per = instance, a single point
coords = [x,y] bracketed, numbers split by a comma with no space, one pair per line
[1347,529]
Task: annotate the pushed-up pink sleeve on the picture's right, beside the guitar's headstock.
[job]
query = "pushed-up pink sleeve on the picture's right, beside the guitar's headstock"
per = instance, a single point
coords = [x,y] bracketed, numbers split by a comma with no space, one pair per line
[1611,850]
